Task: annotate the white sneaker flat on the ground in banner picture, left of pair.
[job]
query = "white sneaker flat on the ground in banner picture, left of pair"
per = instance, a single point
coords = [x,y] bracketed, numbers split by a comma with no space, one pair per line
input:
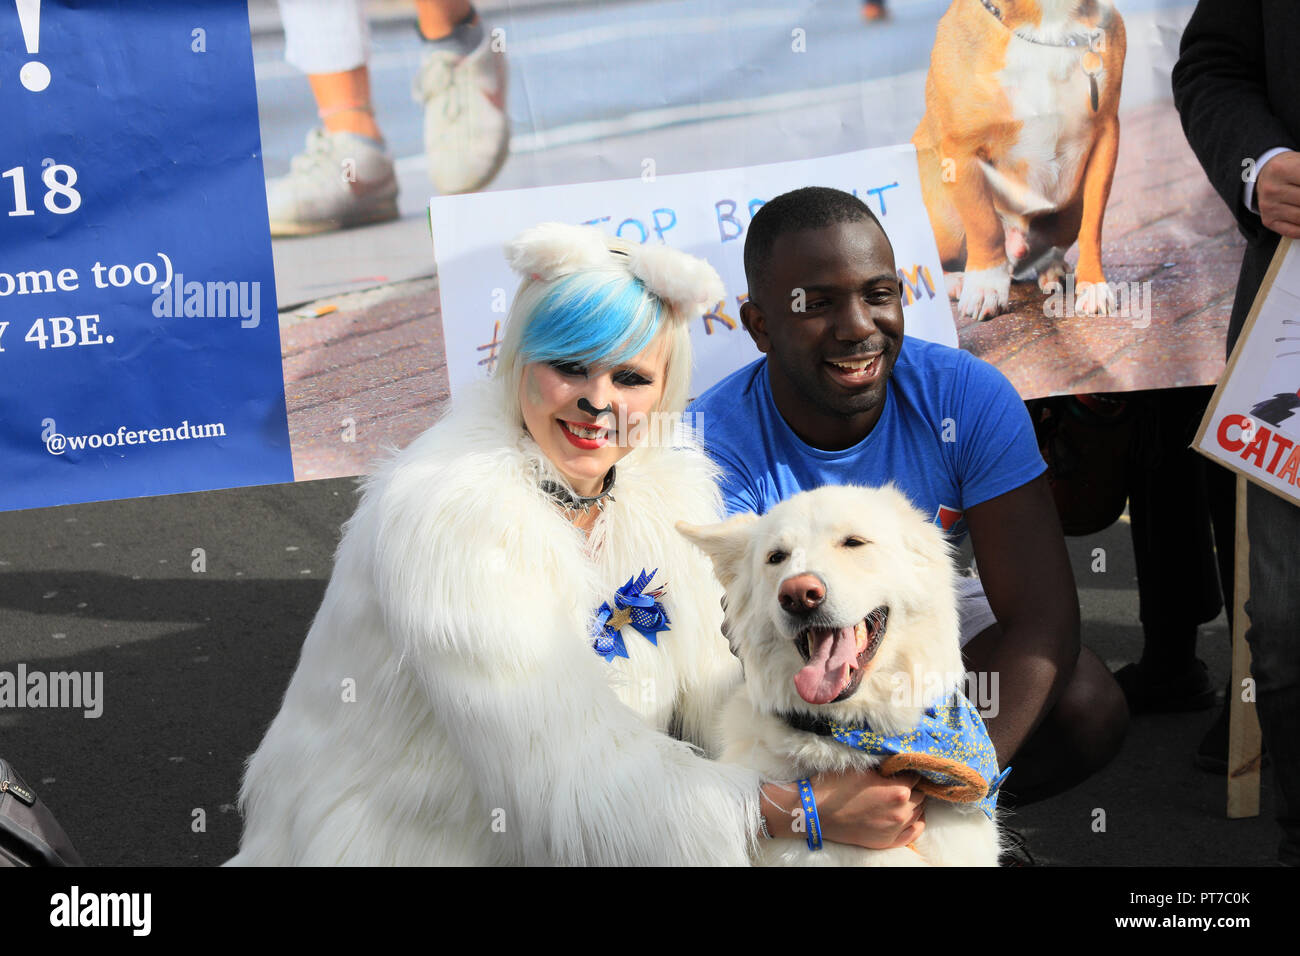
[343,180]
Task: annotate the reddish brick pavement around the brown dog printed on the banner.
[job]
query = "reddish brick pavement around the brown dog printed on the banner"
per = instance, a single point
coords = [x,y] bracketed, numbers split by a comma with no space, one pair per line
[1164,224]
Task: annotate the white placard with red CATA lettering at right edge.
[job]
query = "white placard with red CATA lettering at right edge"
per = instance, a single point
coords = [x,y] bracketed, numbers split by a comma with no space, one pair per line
[1253,425]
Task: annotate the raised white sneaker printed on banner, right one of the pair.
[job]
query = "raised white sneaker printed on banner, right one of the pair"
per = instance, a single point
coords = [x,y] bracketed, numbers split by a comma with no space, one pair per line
[466,128]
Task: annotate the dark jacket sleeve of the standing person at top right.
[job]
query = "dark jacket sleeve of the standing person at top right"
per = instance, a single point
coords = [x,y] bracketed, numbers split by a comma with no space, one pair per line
[1221,93]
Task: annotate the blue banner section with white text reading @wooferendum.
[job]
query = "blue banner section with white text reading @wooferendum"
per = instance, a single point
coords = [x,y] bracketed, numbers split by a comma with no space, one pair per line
[140,344]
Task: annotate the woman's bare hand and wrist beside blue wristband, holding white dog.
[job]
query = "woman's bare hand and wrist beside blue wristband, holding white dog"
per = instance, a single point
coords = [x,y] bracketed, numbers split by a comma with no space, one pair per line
[859,808]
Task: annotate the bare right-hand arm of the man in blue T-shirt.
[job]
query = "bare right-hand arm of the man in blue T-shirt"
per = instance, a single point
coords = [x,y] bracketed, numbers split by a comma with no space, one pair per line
[1026,574]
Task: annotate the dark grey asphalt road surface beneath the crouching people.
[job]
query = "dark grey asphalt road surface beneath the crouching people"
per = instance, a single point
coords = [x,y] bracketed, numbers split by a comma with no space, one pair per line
[196,663]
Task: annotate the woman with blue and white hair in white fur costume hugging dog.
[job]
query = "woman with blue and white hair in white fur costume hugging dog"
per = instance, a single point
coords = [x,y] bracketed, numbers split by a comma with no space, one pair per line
[518,659]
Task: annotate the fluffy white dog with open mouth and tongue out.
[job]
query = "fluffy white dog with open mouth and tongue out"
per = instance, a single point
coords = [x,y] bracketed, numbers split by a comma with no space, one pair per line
[842,608]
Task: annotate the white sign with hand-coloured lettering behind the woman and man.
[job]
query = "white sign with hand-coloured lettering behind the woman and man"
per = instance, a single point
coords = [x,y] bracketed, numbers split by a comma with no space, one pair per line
[703,214]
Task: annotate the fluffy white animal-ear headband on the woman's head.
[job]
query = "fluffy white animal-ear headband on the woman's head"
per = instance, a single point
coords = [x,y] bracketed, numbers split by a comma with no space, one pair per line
[687,284]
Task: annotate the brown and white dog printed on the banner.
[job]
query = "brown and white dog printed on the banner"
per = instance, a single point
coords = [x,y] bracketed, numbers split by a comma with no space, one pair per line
[1019,145]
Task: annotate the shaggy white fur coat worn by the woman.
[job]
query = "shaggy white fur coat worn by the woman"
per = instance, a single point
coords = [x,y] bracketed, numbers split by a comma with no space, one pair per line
[449,708]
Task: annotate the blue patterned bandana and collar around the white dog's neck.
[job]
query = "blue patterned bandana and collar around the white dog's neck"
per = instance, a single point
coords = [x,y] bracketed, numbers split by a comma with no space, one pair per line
[950,750]
